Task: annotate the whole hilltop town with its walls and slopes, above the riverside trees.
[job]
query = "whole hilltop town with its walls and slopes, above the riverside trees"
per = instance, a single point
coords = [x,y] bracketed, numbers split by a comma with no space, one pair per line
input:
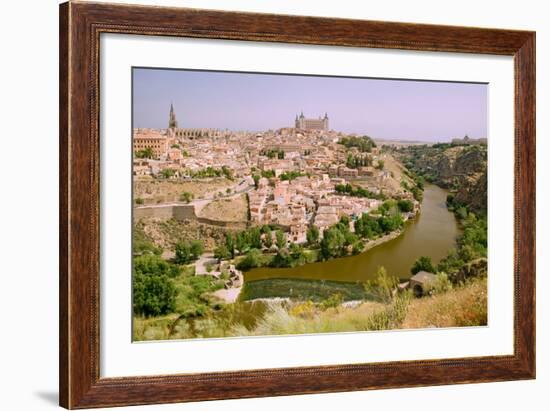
[292,178]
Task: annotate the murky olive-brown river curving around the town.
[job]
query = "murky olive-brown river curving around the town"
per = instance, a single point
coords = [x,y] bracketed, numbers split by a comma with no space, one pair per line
[433,233]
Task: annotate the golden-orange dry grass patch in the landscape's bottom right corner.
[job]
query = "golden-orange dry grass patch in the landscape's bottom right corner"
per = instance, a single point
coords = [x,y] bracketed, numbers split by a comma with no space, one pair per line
[461,307]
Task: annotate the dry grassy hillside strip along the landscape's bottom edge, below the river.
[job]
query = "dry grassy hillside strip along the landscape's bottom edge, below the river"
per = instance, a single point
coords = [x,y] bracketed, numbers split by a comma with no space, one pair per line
[462,305]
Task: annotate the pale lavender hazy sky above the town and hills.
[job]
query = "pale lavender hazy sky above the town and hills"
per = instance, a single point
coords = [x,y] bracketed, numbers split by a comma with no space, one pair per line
[383,109]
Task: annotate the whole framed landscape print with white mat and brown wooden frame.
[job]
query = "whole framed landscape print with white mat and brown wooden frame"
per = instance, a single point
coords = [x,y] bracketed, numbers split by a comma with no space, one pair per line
[258,205]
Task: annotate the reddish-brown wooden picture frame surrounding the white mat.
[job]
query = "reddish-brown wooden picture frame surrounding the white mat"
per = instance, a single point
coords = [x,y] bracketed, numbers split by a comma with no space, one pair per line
[81,25]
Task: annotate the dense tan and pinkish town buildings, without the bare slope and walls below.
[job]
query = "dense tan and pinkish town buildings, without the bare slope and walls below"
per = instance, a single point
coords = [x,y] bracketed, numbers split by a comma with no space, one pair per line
[297,169]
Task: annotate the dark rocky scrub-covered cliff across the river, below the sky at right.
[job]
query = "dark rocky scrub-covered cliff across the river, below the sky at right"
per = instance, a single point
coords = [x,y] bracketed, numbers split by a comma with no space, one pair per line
[462,169]
